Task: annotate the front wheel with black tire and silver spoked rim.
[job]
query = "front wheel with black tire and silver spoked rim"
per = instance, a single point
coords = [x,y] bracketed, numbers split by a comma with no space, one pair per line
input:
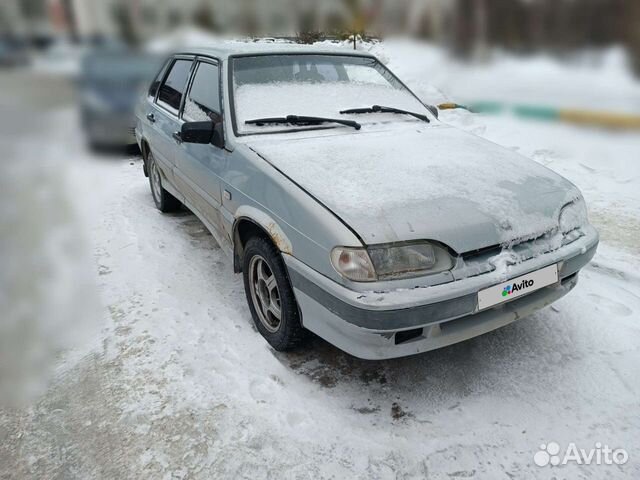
[286,332]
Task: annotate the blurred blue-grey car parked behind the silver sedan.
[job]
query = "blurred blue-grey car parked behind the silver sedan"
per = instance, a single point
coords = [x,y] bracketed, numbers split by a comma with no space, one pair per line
[109,85]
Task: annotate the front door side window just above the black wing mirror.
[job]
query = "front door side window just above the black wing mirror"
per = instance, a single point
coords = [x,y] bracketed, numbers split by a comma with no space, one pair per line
[203,100]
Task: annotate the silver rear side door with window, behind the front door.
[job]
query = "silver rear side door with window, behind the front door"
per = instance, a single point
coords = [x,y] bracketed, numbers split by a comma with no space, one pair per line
[163,116]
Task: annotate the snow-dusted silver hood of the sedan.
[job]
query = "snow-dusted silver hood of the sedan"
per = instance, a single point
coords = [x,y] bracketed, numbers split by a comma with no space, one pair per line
[410,181]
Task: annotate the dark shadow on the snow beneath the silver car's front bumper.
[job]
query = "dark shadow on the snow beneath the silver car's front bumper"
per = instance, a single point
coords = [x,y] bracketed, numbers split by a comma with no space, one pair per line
[506,361]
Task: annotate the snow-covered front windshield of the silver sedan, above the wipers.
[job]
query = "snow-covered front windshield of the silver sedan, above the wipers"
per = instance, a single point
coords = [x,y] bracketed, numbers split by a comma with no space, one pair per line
[319,85]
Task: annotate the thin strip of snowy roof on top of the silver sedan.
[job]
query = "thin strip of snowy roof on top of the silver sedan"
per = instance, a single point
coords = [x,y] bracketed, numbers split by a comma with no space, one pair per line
[224,50]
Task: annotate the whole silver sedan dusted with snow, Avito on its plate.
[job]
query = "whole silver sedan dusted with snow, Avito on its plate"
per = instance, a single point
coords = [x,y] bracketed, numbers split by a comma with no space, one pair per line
[350,210]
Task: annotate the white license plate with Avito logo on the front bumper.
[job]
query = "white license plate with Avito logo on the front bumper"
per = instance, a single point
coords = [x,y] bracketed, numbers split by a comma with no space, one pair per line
[517,287]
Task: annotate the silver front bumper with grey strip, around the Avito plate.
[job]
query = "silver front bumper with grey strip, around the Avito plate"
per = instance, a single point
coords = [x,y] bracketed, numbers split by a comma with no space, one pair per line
[396,323]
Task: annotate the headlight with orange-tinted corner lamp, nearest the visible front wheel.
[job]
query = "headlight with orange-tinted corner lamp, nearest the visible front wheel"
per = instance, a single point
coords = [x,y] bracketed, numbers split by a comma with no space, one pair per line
[390,261]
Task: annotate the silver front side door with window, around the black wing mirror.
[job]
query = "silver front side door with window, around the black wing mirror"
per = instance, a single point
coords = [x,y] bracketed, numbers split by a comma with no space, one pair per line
[199,167]
